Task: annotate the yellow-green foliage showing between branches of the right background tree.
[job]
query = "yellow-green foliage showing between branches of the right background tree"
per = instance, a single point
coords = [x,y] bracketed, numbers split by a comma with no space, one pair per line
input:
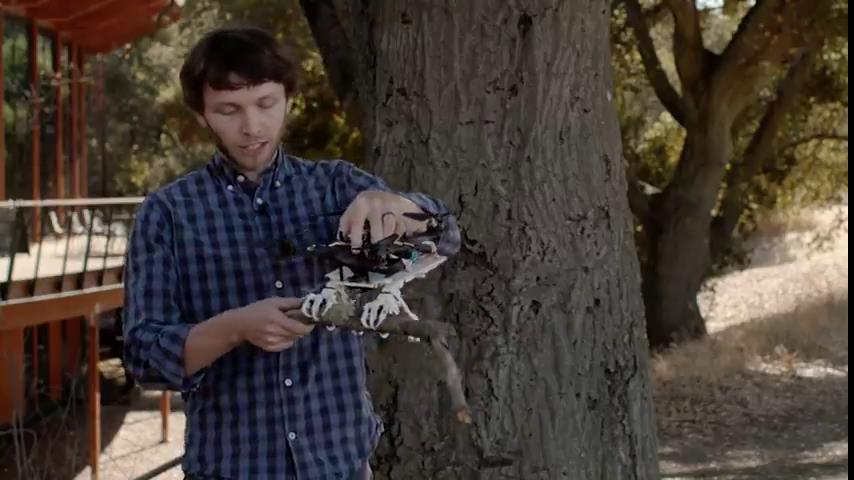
[811,161]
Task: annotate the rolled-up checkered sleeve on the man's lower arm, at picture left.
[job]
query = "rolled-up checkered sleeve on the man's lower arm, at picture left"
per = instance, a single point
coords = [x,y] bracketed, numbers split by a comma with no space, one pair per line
[154,332]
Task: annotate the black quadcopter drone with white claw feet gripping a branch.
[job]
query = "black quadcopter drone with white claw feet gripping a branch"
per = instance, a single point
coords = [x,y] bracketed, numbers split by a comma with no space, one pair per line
[386,265]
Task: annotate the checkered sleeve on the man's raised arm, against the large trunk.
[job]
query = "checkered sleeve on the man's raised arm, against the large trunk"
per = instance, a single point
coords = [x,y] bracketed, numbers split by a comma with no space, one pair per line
[352,180]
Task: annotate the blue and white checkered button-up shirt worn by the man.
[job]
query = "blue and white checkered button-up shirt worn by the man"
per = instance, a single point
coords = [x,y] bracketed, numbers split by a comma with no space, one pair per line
[207,243]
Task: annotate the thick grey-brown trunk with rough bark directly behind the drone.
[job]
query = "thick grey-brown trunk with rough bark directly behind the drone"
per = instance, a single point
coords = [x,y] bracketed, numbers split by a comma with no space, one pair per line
[503,110]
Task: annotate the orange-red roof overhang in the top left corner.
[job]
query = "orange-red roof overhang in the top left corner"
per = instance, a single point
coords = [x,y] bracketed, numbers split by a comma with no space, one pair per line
[97,26]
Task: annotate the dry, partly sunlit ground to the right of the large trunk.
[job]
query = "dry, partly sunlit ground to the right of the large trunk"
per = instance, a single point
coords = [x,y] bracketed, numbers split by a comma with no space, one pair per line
[766,396]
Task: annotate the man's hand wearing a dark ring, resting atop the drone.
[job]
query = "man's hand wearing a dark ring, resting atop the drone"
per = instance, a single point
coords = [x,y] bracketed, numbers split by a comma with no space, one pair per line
[384,213]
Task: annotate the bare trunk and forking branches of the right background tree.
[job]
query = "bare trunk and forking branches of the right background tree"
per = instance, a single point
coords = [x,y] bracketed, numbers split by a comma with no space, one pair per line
[715,90]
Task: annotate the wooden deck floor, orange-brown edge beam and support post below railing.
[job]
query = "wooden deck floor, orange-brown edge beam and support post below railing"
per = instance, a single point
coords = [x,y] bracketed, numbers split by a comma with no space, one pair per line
[67,294]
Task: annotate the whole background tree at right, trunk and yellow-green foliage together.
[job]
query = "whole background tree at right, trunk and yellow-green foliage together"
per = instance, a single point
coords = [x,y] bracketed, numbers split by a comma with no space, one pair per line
[736,89]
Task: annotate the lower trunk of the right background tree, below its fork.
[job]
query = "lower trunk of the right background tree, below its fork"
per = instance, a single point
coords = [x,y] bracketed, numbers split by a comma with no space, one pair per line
[680,254]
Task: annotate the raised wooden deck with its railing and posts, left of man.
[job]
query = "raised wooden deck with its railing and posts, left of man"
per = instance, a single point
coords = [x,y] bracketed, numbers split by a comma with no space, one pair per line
[61,265]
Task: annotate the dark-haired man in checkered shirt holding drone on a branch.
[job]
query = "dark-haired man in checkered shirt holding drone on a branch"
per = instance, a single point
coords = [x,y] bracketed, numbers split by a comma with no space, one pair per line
[207,282]
